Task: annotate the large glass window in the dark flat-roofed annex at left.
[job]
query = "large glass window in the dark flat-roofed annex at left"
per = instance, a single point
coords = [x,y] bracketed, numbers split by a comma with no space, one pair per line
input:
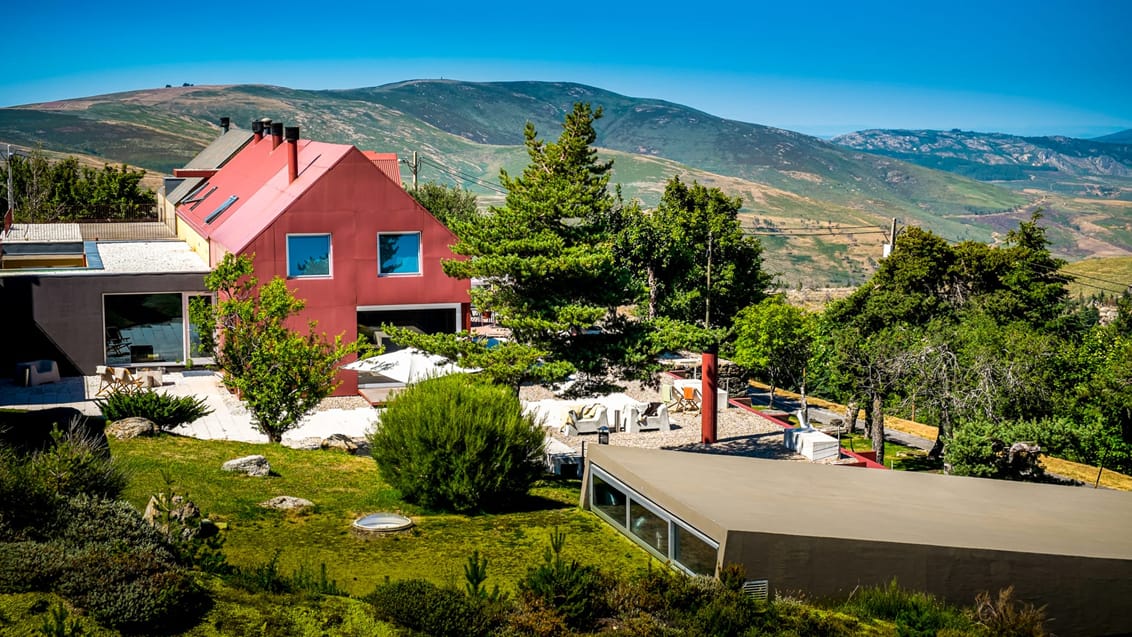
[144,329]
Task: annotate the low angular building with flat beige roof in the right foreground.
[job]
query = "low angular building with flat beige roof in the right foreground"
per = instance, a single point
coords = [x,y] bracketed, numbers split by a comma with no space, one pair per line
[826,530]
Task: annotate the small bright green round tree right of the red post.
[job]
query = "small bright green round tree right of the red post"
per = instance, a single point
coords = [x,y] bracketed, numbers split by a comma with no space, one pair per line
[777,340]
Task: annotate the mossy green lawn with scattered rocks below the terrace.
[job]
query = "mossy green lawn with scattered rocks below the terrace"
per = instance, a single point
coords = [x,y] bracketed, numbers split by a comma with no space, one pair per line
[345,488]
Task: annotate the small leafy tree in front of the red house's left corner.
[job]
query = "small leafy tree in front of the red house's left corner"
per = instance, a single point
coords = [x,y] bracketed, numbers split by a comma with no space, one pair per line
[280,373]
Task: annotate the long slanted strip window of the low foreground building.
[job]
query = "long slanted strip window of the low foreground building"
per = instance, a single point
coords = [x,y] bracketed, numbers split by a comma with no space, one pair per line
[650,526]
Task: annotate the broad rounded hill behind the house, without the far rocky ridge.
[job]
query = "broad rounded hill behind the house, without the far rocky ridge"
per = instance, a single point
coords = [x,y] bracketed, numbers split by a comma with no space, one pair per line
[473,131]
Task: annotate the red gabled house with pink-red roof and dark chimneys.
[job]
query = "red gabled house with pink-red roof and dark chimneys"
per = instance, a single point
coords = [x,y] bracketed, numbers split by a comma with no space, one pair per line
[332,222]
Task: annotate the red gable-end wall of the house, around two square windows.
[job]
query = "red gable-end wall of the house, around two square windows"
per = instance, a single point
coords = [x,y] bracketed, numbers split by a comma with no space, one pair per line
[353,202]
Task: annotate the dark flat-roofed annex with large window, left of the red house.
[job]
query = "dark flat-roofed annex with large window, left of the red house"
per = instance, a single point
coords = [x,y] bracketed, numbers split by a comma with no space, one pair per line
[87,303]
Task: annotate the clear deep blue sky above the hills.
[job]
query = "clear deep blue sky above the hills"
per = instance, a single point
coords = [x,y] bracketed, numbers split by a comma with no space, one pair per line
[1039,67]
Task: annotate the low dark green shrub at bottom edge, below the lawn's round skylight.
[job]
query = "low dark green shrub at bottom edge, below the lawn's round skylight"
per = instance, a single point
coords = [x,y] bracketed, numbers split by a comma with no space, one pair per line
[425,607]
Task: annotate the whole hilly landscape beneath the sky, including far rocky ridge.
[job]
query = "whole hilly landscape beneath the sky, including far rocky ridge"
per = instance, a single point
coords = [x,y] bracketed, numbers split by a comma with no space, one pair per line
[808,200]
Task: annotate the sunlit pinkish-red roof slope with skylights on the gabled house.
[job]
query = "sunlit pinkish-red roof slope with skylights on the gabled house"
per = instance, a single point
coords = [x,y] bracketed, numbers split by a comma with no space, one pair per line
[258,178]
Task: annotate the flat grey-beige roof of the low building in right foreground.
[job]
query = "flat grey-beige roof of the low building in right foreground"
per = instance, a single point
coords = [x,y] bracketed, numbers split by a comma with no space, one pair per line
[719,494]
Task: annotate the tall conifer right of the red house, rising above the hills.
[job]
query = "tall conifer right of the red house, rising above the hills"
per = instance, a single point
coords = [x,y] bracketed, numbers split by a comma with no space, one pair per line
[548,259]
